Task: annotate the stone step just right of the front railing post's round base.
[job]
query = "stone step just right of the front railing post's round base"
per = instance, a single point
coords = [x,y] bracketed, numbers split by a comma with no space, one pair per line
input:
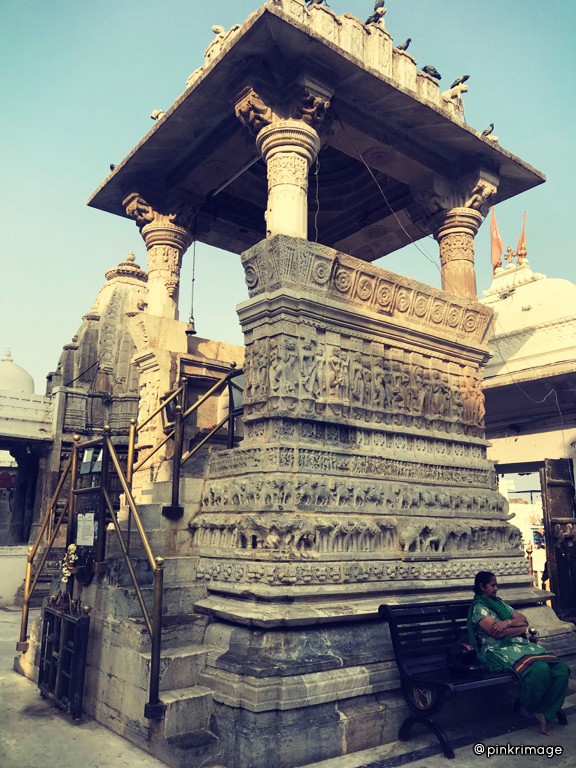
[188,710]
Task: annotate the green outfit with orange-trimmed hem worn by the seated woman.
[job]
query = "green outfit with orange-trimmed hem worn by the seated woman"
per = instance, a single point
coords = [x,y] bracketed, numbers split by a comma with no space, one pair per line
[542,677]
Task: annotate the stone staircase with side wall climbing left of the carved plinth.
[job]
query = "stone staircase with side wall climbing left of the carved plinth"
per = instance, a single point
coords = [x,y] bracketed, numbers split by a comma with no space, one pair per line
[121,670]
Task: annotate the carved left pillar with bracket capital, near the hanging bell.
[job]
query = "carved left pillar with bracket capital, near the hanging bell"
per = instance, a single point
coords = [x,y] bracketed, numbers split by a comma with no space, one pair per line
[167,238]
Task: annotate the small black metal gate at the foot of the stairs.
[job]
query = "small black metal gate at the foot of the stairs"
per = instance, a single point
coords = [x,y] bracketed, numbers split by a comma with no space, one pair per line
[63,653]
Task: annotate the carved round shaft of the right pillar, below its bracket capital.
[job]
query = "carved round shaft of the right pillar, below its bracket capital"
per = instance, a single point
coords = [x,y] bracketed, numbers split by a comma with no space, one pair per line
[455,235]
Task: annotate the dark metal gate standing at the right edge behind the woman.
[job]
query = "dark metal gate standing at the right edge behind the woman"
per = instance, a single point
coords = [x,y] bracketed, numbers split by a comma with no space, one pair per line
[557,482]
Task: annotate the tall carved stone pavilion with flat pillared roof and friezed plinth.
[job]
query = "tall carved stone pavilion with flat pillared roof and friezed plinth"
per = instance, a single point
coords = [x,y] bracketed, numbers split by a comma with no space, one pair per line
[361,476]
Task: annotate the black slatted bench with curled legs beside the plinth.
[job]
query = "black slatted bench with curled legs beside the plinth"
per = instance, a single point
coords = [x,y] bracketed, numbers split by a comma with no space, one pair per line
[422,636]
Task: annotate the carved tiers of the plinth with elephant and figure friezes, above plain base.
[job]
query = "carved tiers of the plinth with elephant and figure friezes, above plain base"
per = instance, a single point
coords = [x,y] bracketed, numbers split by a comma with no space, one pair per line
[363,466]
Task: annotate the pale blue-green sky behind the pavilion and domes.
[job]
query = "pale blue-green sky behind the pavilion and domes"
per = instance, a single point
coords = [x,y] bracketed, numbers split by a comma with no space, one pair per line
[79,79]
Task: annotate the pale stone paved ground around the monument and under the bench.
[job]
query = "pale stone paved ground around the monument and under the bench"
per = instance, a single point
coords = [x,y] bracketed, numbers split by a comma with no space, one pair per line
[34,734]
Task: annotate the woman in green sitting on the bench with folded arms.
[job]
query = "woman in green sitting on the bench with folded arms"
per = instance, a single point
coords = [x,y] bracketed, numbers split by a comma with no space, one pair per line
[498,633]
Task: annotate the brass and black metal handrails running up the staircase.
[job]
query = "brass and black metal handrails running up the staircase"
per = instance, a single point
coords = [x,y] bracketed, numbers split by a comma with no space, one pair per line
[50,526]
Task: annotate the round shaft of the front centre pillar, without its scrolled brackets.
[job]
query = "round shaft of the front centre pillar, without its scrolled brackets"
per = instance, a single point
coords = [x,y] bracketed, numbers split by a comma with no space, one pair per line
[288,148]
